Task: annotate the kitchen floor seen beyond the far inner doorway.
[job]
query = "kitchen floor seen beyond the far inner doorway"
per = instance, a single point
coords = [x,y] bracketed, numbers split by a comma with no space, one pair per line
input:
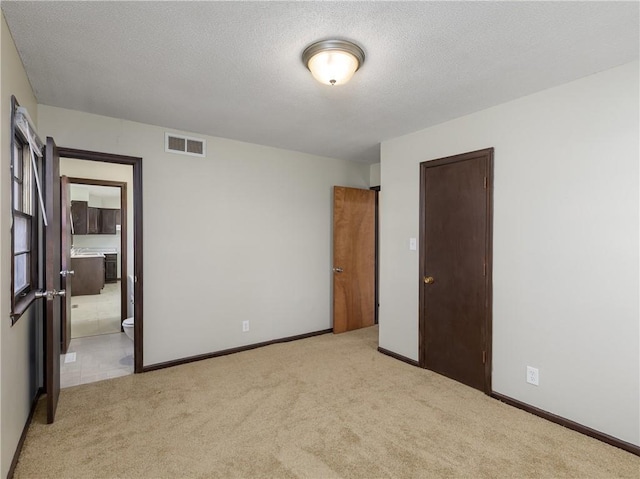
[97,313]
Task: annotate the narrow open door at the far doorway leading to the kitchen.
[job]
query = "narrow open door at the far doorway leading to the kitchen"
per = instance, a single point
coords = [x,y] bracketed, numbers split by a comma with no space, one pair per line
[66,271]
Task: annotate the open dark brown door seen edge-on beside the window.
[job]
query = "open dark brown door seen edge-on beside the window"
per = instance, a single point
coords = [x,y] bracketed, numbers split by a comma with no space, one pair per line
[52,306]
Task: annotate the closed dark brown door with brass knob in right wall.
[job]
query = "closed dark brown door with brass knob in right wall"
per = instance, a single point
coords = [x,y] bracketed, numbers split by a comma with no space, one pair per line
[455,259]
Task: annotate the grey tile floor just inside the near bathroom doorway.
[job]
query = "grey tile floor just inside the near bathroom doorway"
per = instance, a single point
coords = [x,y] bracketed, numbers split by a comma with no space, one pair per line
[96,358]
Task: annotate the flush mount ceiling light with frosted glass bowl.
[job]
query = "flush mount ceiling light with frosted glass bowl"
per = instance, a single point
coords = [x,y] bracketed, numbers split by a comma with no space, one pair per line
[333,62]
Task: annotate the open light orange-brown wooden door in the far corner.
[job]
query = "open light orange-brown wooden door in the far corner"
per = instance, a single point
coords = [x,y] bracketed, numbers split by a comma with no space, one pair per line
[353,258]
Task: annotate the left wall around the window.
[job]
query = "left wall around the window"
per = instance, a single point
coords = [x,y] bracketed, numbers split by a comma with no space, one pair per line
[16,342]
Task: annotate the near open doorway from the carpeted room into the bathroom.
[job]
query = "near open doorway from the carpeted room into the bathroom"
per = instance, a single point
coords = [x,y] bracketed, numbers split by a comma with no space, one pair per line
[99,250]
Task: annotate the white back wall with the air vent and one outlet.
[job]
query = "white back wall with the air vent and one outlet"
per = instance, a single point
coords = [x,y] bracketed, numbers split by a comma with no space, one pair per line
[243,234]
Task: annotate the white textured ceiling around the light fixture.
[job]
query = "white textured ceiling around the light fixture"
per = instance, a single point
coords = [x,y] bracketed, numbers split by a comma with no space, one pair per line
[233,69]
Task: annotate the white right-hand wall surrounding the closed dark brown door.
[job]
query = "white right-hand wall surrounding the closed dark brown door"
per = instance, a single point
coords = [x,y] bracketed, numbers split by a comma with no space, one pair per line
[566,222]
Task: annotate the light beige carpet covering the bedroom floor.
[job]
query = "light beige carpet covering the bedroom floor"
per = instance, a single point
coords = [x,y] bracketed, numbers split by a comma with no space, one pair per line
[324,407]
